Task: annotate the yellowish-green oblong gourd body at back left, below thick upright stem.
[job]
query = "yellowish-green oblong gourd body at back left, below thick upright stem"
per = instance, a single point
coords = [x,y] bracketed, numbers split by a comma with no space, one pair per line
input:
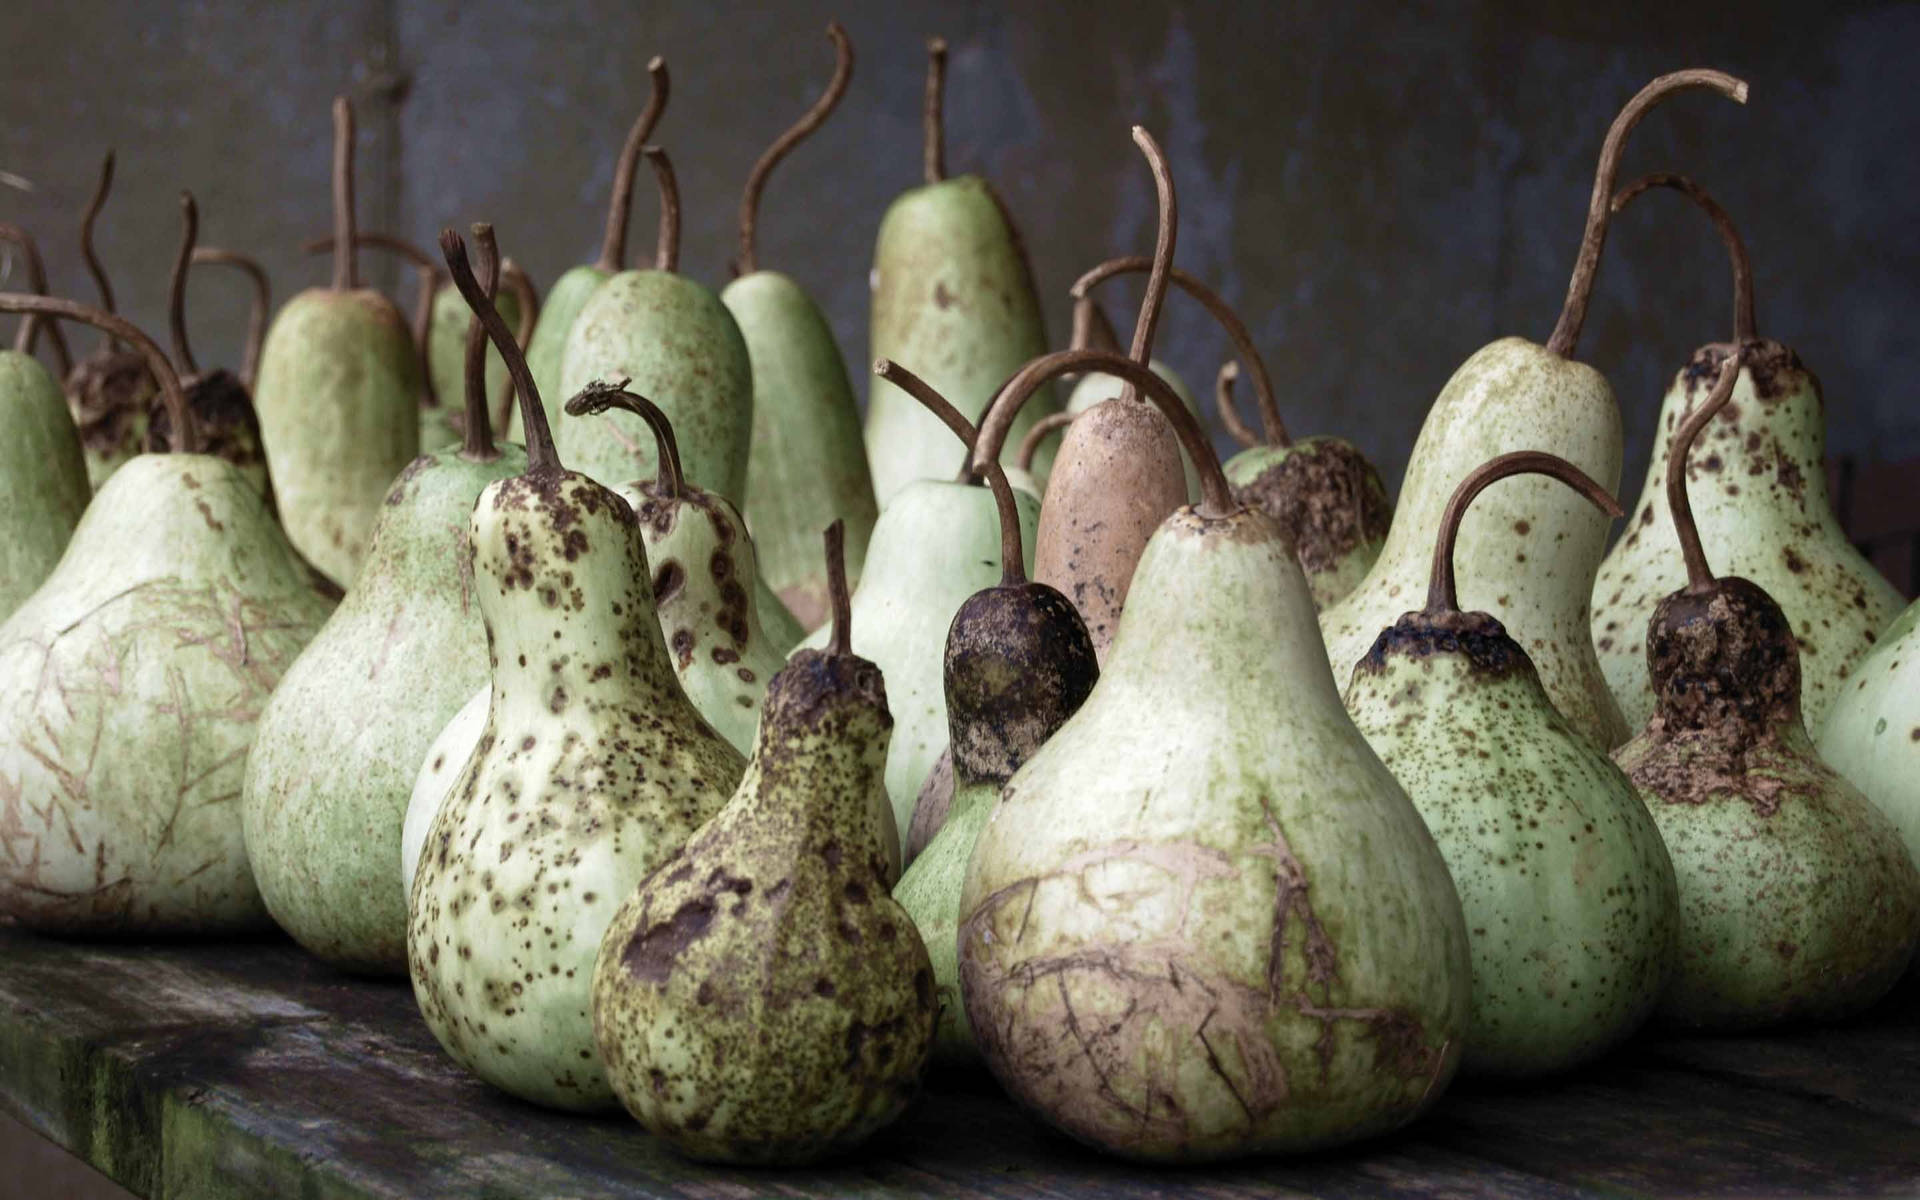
[339,410]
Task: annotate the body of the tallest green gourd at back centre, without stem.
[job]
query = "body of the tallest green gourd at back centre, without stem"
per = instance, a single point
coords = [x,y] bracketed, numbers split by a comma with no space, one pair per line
[955,304]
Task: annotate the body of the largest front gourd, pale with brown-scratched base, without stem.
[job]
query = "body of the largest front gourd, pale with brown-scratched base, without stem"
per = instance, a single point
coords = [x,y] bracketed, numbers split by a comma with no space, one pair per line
[1205,921]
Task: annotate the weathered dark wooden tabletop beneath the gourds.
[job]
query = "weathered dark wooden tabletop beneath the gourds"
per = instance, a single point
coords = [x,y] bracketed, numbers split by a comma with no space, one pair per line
[251,1070]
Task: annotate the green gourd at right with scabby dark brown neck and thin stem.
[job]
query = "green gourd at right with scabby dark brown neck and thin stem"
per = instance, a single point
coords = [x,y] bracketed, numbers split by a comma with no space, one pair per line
[1798,900]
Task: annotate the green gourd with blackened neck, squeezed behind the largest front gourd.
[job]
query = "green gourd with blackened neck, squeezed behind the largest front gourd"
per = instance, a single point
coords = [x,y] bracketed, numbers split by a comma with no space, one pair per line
[1019,663]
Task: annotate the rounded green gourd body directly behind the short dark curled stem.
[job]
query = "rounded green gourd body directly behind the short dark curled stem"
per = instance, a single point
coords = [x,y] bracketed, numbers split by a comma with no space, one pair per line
[679,347]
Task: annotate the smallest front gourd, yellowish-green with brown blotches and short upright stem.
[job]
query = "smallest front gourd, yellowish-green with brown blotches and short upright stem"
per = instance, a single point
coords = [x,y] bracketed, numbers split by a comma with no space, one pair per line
[761,999]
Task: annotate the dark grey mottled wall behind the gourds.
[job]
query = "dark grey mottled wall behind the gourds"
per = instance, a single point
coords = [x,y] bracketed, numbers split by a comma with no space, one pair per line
[1381,189]
